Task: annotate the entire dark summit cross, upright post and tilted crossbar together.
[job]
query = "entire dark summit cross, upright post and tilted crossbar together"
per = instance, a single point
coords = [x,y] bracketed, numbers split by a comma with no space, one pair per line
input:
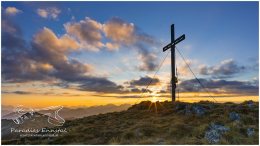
[172,46]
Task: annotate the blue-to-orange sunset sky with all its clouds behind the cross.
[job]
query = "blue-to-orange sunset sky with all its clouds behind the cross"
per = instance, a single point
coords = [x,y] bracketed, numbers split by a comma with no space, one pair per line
[96,53]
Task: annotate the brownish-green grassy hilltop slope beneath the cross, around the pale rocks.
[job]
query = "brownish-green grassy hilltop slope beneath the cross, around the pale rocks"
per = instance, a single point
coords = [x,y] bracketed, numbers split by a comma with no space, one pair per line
[138,125]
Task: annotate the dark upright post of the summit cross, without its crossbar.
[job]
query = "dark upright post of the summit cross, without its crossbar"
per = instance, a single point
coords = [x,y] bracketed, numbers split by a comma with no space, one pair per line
[173,62]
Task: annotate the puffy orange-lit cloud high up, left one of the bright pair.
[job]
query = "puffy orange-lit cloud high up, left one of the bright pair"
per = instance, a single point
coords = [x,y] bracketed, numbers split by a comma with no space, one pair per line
[87,32]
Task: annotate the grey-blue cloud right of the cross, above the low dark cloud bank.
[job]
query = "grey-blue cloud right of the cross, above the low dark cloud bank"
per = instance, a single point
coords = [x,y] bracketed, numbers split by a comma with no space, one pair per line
[227,68]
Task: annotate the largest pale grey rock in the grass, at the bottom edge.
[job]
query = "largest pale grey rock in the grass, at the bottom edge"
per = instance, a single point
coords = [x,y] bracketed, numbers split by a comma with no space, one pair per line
[215,132]
